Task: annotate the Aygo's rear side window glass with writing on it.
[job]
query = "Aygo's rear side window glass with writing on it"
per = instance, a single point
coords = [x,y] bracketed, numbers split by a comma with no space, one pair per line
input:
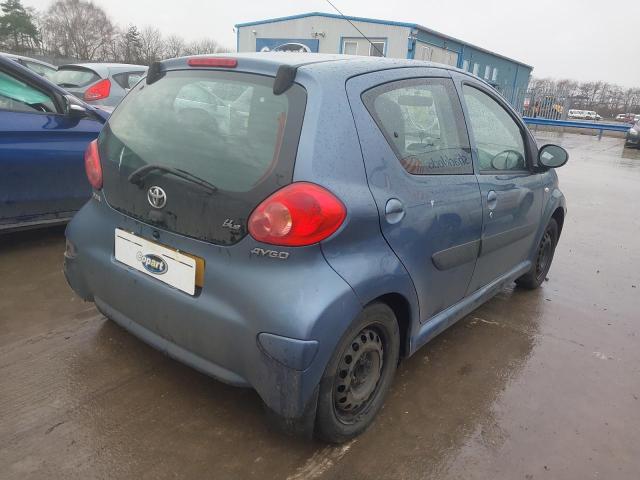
[422,120]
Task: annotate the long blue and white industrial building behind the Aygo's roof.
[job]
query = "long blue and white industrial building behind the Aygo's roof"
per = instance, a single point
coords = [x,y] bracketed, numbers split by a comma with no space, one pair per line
[330,33]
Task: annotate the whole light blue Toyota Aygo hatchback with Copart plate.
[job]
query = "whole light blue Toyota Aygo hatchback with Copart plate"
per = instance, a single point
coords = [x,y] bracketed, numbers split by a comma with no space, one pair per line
[335,217]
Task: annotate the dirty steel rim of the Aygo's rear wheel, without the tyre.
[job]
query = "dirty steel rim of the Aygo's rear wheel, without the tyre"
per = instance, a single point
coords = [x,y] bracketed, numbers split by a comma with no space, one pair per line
[359,374]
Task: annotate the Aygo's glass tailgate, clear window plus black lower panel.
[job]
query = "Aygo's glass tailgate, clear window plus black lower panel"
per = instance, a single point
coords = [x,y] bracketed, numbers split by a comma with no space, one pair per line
[228,129]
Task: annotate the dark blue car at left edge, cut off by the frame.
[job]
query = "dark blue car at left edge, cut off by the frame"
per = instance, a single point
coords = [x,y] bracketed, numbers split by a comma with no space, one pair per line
[44,133]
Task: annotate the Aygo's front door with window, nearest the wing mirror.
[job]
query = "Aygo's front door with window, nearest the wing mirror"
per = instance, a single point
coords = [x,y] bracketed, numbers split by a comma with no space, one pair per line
[511,192]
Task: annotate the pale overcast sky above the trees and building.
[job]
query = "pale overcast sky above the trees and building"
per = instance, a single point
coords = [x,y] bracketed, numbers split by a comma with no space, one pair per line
[585,40]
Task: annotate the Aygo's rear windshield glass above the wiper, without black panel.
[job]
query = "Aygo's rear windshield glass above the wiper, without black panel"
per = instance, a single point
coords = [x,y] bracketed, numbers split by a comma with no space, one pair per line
[226,129]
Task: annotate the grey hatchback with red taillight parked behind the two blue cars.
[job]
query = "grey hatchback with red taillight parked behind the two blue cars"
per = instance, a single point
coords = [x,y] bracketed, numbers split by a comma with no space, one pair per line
[99,83]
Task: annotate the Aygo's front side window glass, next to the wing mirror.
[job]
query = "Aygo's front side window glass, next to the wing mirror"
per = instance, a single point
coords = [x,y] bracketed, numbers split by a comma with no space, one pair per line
[497,136]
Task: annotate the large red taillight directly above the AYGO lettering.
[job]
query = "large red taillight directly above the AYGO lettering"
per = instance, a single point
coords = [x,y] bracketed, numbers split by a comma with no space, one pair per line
[297,215]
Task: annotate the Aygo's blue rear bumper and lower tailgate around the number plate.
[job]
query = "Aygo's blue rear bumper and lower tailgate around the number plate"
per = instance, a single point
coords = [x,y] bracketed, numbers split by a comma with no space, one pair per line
[267,325]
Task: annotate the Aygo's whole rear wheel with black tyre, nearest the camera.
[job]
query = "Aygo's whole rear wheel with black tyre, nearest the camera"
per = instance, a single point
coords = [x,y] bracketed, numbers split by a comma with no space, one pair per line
[358,375]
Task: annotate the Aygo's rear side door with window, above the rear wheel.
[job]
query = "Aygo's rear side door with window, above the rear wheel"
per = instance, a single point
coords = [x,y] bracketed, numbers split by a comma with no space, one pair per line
[420,172]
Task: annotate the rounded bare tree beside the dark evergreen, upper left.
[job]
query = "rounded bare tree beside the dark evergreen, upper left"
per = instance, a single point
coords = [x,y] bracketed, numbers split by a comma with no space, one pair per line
[77,28]
